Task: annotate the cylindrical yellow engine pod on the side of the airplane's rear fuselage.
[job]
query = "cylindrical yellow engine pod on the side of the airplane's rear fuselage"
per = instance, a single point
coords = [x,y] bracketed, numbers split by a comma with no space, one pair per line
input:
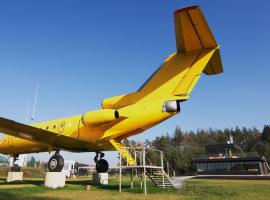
[99,117]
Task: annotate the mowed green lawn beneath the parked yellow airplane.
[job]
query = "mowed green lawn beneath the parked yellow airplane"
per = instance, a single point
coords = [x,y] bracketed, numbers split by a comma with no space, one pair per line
[32,189]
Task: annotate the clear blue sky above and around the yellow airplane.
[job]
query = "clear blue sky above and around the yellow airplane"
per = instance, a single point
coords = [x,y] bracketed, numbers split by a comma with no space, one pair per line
[83,51]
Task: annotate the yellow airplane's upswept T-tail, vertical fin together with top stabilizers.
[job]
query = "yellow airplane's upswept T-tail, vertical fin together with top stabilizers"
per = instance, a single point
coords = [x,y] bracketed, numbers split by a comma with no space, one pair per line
[197,53]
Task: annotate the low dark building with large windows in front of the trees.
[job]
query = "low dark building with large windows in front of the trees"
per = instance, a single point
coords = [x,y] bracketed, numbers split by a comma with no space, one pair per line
[229,159]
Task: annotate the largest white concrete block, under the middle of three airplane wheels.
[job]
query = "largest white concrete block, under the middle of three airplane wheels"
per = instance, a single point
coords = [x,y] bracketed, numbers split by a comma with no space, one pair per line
[55,180]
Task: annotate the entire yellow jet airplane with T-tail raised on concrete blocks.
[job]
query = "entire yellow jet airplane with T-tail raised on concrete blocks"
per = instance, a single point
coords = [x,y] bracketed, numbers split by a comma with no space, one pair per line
[122,116]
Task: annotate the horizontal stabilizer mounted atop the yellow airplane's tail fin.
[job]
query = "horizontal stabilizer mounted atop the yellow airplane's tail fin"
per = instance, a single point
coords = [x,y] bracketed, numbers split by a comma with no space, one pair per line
[193,34]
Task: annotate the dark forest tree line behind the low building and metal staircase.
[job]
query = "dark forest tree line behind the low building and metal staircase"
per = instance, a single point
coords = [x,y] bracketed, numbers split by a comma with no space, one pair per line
[181,146]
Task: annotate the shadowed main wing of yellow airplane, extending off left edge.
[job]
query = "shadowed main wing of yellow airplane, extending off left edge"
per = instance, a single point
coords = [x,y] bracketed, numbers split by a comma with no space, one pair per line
[31,133]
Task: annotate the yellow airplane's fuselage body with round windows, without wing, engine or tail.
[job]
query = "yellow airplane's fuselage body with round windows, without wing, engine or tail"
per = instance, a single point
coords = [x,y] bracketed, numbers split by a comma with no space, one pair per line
[133,119]
